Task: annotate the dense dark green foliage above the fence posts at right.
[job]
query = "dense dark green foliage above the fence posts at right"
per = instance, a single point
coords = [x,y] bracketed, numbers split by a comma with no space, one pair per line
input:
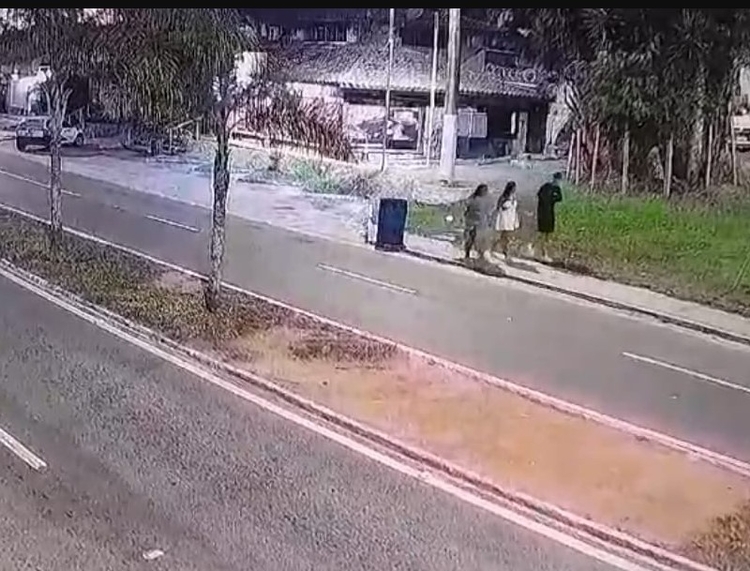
[656,72]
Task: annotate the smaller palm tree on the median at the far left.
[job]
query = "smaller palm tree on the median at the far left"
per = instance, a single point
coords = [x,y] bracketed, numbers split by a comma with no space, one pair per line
[61,39]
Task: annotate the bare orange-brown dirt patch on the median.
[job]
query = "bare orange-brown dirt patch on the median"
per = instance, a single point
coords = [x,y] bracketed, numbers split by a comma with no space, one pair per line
[610,477]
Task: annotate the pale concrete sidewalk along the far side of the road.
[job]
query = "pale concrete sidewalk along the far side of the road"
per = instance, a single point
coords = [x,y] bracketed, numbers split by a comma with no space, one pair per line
[340,218]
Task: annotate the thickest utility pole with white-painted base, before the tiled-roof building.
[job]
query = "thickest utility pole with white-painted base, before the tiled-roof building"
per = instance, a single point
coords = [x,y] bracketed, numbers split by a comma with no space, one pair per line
[450,116]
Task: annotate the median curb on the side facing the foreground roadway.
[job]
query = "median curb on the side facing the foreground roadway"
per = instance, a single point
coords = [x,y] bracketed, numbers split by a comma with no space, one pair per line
[523,502]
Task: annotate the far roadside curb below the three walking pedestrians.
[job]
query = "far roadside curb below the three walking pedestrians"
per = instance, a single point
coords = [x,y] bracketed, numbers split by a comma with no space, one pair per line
[659,316]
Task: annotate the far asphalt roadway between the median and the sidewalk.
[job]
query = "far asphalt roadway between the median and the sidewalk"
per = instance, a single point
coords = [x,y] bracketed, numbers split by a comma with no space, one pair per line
[570,349]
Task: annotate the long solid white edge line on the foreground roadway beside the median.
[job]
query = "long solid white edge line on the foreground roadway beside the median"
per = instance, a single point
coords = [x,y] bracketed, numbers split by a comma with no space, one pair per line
[339,438]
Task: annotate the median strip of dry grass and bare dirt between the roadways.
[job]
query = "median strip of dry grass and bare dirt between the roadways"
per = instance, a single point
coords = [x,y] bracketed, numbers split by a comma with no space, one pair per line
[657,494]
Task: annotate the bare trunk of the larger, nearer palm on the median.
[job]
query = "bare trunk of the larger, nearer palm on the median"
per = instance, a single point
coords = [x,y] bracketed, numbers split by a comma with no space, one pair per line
[212,293]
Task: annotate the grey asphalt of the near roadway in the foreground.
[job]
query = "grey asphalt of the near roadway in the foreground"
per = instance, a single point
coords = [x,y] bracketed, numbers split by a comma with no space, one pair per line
[142,456]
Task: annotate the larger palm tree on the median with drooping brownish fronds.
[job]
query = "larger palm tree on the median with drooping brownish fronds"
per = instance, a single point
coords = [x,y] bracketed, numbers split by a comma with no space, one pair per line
[174,63]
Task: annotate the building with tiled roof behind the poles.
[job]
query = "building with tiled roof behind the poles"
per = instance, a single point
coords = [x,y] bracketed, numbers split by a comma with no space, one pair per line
[341,55]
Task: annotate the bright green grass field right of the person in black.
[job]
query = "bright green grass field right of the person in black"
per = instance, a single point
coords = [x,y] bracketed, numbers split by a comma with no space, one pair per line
[692,251]
